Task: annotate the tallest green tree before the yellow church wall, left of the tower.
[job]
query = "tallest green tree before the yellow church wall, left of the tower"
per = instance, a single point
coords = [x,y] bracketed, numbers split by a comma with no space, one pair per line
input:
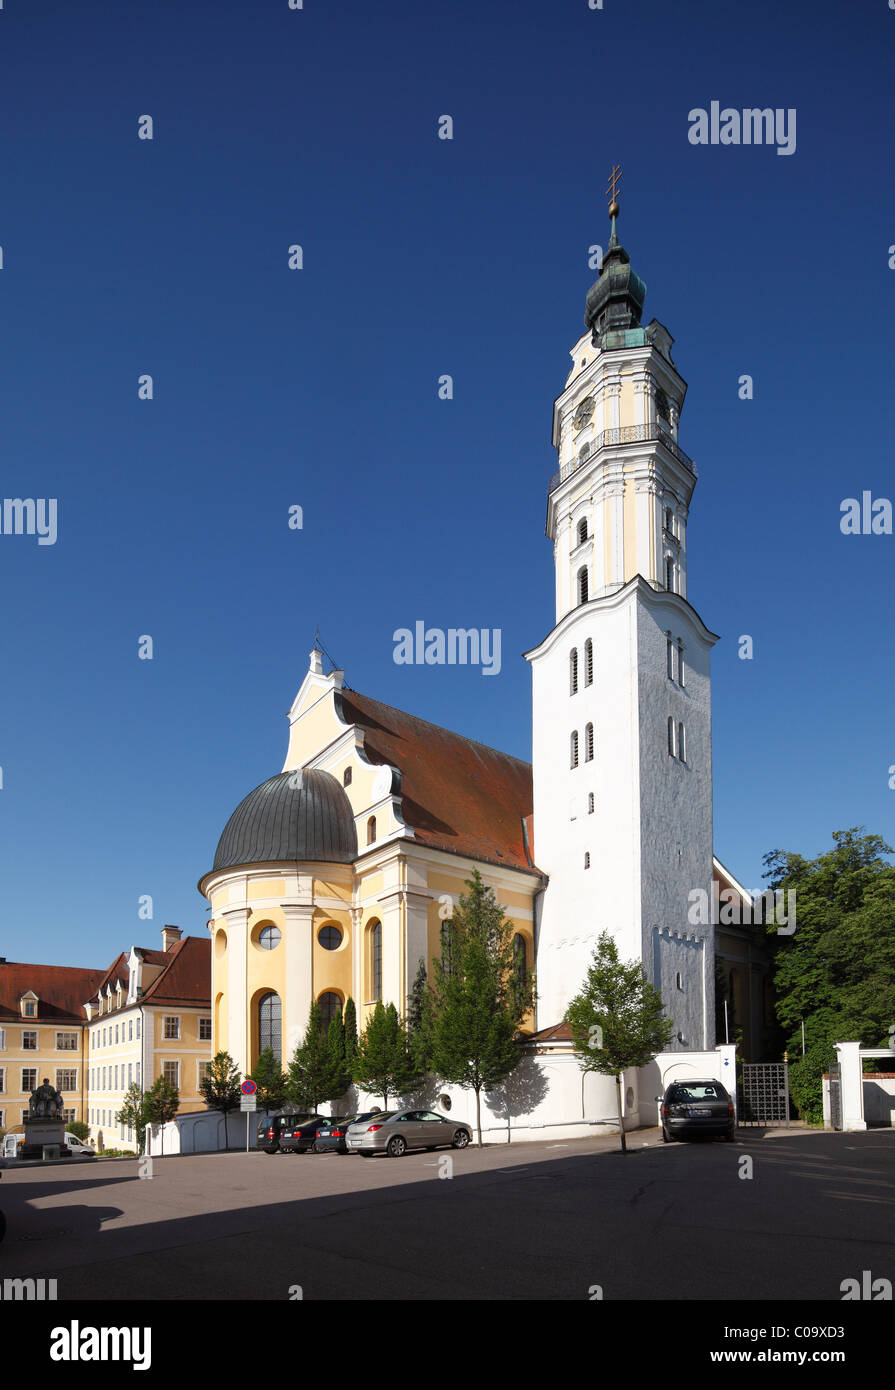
[479,999]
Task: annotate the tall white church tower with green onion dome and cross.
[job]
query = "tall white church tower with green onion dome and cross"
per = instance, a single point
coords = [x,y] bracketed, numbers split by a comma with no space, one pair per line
[622,689]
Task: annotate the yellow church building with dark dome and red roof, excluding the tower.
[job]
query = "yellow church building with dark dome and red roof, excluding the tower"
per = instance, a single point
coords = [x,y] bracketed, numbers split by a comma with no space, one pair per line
[336,878]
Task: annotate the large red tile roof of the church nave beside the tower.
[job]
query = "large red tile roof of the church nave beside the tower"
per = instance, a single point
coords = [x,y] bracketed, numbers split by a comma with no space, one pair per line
[457,794]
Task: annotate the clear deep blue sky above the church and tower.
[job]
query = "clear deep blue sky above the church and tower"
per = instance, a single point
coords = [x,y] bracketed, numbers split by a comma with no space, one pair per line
[319,389]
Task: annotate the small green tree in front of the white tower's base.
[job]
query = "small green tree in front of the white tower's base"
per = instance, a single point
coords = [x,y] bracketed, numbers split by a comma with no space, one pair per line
[618,1021]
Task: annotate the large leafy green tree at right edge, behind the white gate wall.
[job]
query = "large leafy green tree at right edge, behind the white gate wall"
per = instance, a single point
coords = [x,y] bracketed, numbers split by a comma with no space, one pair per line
[837,971]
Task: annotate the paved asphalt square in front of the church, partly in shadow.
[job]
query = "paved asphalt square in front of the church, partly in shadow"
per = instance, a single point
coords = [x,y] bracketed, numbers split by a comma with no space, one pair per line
[514,1223]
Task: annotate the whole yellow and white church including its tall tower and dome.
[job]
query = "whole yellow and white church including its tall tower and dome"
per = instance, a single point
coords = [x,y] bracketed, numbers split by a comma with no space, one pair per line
[337,876]
